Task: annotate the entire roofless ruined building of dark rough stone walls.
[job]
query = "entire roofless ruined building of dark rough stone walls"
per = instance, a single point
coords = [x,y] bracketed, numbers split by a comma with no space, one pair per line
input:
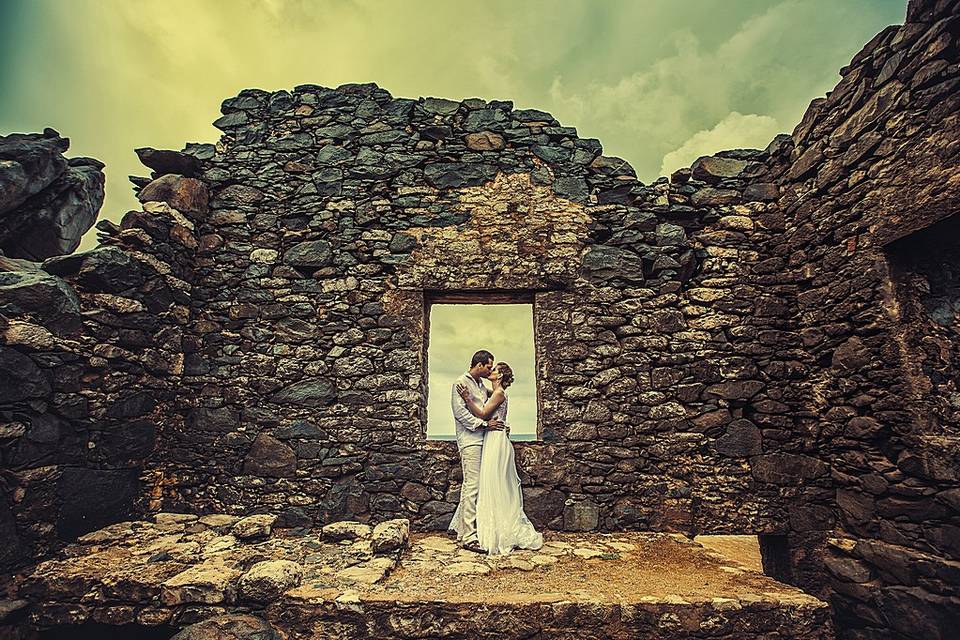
[765,343]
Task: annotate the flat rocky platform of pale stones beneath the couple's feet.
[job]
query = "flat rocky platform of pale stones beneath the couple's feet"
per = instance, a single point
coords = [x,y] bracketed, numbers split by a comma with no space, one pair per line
[220,576]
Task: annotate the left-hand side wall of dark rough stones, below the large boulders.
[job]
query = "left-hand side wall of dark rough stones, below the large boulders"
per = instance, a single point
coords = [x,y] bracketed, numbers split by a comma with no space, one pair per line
[91,355]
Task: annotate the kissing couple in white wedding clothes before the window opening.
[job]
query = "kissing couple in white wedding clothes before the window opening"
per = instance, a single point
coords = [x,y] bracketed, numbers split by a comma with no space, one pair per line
[489,518]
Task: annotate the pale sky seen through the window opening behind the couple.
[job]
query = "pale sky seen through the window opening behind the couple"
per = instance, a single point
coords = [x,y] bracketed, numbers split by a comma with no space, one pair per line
[457,331]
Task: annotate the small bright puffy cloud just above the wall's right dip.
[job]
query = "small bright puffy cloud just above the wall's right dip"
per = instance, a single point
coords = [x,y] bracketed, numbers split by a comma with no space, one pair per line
[735,131]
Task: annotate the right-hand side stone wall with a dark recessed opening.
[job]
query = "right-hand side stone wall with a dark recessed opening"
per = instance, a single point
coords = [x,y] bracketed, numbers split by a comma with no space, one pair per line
[870,196]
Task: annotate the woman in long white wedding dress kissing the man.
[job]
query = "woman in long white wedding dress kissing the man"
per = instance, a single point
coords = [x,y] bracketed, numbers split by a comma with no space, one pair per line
[501,523]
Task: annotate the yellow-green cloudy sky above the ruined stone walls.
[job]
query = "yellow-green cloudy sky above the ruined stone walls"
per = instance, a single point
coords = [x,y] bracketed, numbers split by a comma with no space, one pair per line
[659,82]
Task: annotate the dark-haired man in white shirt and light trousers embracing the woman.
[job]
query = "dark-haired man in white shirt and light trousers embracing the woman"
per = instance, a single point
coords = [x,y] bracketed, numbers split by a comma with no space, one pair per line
[470,440]
